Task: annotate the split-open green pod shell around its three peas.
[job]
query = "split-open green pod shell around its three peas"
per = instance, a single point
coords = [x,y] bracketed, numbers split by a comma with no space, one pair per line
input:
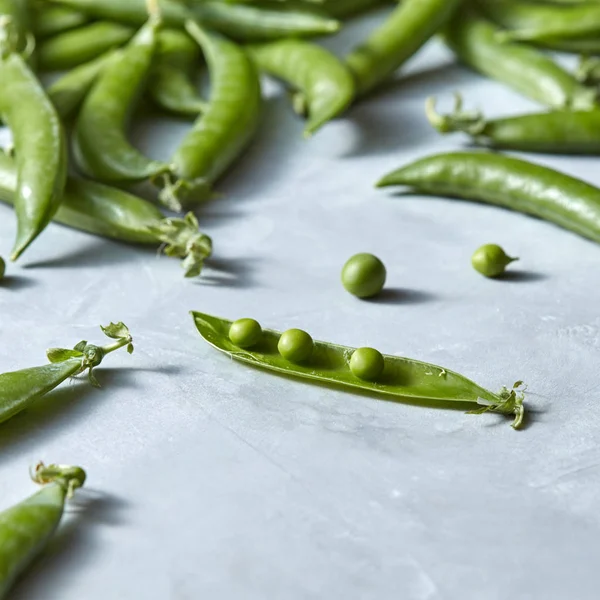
[403,379]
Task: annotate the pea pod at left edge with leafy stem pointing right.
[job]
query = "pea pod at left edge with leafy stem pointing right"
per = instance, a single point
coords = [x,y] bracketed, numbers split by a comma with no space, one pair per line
[20,389]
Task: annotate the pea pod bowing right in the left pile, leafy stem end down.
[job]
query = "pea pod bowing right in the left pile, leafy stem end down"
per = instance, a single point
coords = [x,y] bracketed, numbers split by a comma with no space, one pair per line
[223,131]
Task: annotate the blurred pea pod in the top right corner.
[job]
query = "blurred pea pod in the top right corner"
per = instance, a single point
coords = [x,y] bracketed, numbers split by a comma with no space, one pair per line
[533,21]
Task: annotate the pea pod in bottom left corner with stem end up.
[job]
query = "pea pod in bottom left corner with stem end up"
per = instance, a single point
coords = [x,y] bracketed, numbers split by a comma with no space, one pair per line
[26,529]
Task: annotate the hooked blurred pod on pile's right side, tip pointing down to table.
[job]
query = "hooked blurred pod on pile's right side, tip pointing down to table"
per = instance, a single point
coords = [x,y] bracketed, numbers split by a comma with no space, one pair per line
[325,85]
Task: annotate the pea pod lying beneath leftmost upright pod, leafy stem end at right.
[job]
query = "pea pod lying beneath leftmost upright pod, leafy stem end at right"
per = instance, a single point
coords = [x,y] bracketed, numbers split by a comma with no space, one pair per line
[113,213]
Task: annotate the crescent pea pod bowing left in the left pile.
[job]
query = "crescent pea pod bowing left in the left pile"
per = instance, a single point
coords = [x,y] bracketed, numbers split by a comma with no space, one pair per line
[100,146]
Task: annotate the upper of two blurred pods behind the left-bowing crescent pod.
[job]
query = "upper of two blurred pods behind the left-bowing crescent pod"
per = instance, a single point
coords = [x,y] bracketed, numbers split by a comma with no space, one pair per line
[73,48]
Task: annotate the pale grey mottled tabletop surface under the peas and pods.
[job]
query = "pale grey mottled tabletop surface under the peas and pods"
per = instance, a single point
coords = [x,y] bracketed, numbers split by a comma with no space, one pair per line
[207,479]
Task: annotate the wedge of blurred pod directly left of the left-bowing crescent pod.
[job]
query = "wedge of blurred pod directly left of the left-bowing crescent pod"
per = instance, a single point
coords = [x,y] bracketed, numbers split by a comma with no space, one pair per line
[68,92]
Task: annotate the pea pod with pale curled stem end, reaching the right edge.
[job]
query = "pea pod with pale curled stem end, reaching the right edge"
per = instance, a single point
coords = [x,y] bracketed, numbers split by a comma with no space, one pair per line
[561,131]
